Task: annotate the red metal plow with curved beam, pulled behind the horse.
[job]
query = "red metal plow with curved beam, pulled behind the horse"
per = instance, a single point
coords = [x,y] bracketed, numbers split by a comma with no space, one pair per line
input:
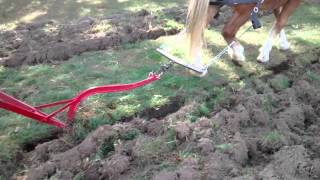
[12,104]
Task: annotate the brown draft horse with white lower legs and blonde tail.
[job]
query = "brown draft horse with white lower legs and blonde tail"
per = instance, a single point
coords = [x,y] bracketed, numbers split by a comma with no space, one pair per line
[201,12]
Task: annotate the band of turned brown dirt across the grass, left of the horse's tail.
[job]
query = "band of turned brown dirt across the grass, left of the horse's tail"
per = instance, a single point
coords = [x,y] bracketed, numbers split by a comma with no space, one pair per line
[47,41]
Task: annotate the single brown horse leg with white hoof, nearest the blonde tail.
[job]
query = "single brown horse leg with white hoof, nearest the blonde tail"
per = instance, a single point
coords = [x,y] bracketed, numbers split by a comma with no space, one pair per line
[240,16]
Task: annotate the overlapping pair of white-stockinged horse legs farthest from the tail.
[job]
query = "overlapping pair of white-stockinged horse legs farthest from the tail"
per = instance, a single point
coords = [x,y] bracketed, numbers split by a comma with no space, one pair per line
[282,15]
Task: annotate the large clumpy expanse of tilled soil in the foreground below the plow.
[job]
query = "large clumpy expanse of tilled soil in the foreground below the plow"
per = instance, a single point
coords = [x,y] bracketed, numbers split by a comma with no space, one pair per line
[264,132]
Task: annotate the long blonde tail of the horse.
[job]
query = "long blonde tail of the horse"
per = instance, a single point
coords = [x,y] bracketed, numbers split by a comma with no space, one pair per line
[196,24]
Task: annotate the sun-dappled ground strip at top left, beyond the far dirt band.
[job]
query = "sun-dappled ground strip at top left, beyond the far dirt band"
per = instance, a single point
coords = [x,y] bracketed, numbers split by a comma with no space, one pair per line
[13,12]
